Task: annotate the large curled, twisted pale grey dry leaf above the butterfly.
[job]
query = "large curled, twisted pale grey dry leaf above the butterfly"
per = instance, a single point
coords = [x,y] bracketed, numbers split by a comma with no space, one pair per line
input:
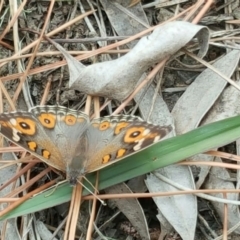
[116,79]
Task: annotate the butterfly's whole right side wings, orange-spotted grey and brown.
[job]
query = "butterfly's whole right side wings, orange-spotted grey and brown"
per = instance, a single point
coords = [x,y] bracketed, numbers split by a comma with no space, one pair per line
[112,138]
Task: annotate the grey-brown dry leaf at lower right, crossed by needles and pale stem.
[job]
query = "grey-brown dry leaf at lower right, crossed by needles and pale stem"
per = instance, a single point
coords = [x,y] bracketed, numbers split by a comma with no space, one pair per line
[219,179]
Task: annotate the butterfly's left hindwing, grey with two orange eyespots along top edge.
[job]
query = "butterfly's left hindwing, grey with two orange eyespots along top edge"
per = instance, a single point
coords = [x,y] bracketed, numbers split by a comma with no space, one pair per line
[65,128]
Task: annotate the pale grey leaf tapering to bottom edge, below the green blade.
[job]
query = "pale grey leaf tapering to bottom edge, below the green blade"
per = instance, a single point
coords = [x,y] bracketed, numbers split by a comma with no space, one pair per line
[183,219]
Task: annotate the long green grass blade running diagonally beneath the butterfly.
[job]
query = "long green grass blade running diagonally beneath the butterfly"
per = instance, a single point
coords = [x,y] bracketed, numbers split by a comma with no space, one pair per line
[158,155]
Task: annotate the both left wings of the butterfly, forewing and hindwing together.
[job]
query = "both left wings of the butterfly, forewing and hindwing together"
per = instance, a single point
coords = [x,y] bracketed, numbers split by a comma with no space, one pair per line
[48,132]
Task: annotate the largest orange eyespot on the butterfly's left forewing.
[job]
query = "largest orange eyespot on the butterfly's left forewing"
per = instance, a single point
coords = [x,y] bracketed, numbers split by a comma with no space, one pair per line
[24,125]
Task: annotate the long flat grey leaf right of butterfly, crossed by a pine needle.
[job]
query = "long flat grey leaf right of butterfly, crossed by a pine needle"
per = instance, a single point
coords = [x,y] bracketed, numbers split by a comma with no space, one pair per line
[202,94]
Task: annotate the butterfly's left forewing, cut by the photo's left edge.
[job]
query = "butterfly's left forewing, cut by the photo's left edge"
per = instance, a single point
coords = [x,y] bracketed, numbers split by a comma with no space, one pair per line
[23,129]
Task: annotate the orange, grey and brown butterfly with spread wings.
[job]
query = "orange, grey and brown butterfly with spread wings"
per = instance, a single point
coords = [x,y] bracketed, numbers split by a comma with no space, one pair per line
[69,141]
